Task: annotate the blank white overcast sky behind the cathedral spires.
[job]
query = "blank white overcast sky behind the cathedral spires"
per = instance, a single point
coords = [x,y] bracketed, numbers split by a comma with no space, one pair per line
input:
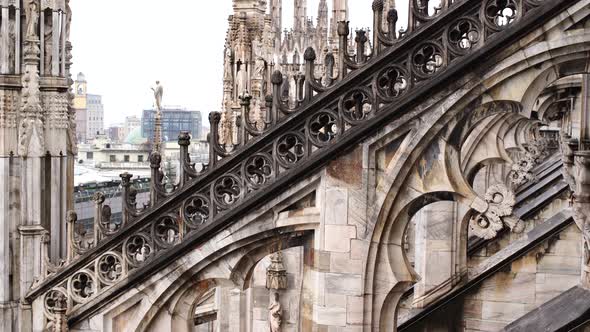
[124,46]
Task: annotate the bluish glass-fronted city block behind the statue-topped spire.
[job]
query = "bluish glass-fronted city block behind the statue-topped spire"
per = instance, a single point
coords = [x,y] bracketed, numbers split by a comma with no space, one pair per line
[174,120]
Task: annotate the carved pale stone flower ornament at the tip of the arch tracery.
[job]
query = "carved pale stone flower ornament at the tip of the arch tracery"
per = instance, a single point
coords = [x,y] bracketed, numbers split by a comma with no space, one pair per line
[495,212]
